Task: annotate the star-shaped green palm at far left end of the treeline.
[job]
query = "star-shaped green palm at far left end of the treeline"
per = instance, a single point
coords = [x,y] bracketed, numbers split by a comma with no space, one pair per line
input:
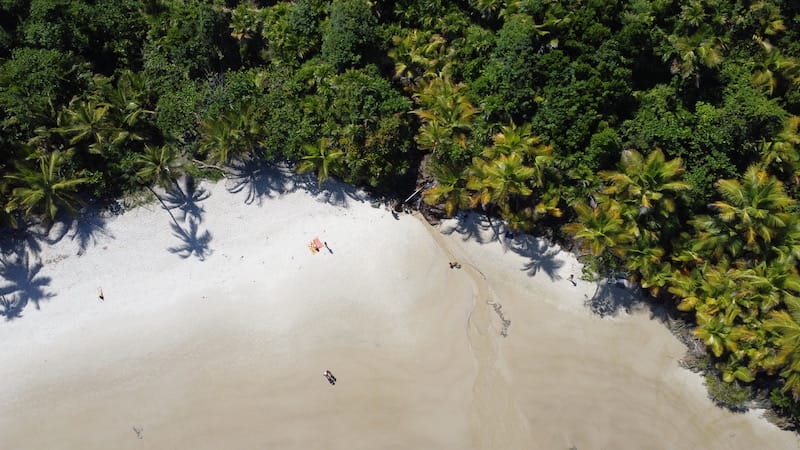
[44,190]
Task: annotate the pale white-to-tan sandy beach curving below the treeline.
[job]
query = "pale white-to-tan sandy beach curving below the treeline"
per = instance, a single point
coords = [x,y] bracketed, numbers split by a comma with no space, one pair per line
[215,335]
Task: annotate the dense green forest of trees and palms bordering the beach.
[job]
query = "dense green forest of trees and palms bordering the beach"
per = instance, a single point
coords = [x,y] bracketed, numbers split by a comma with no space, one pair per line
[661,135]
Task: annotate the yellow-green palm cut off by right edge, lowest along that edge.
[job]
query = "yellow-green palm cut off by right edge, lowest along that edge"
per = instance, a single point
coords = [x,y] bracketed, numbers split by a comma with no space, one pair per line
[785,324]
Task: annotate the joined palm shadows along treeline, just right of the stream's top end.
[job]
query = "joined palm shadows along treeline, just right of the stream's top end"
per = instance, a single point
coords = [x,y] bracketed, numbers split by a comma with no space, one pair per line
[542,256]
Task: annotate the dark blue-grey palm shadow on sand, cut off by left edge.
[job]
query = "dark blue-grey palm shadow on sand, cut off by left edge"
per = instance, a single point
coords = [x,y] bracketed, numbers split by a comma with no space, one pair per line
[22,284]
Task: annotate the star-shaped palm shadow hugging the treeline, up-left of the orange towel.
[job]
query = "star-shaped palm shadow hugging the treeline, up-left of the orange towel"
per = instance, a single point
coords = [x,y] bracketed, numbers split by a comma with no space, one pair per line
[258,180]
